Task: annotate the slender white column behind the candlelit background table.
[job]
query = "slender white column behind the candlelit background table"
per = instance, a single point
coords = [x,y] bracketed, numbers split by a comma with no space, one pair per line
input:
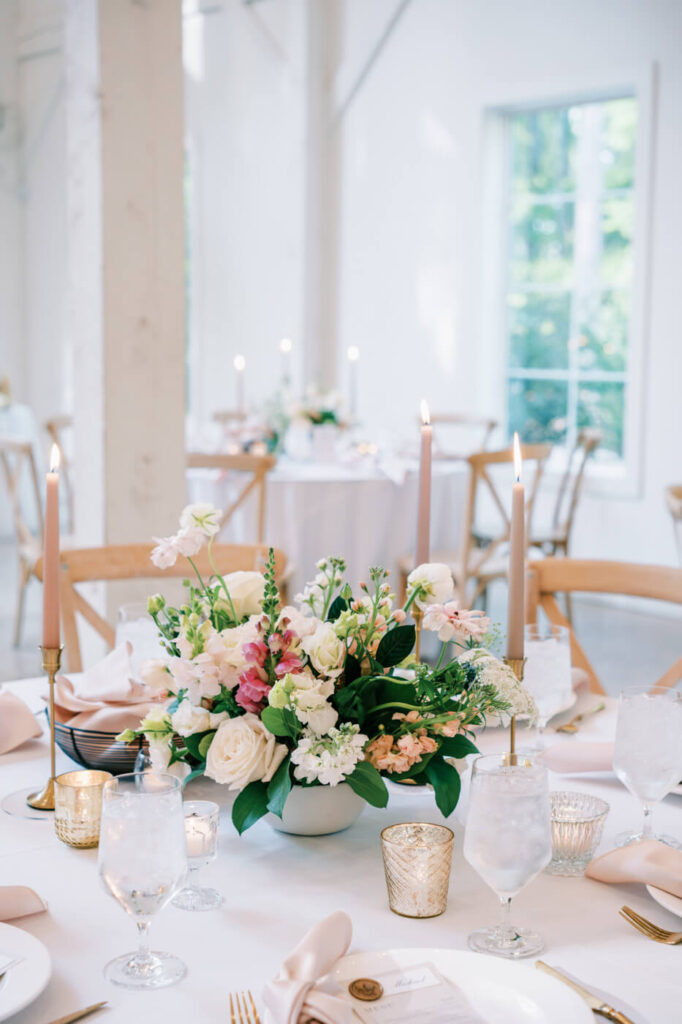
[321,279]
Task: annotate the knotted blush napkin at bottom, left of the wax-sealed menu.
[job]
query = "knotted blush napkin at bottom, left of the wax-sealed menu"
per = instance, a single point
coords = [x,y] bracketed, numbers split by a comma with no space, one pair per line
[299,995]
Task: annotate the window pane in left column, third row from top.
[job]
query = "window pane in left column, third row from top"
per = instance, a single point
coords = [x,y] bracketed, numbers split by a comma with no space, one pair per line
[539,328]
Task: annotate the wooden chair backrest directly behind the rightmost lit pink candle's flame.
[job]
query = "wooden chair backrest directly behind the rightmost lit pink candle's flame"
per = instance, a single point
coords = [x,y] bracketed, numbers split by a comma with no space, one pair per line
[475,558]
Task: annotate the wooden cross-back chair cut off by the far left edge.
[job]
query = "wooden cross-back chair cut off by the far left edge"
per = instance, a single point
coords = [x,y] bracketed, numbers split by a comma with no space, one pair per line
[21,476]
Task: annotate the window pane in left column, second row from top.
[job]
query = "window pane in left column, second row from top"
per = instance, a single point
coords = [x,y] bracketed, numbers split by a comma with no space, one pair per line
[542,244]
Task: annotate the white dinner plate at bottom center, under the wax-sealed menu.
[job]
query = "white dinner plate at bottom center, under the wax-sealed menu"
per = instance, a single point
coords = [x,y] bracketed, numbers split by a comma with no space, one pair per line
[503,993]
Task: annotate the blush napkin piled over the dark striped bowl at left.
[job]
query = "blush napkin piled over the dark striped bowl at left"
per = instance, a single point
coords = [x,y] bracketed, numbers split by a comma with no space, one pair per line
[105,698]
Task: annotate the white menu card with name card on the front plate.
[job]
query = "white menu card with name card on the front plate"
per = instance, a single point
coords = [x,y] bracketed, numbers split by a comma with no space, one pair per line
[418,993]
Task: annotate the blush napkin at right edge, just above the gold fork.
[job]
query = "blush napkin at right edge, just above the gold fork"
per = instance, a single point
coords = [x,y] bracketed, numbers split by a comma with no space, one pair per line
[652,863]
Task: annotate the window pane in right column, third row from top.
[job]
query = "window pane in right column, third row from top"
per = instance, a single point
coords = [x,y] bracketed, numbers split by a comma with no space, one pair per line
[604,332]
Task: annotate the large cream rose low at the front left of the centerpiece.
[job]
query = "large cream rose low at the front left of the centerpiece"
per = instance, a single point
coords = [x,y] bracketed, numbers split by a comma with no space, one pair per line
[243,751]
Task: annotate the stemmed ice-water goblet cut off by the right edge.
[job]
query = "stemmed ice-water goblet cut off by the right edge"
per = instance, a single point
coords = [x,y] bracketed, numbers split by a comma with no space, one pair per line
[648,757]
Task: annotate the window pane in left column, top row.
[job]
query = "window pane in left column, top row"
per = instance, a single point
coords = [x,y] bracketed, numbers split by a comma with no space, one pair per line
[543,152]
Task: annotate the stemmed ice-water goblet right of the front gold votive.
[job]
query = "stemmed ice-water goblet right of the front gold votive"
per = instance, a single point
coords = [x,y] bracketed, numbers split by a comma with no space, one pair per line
[508,842]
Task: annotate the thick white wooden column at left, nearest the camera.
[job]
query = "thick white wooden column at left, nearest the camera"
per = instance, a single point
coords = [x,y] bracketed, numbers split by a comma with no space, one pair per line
[126,255]
